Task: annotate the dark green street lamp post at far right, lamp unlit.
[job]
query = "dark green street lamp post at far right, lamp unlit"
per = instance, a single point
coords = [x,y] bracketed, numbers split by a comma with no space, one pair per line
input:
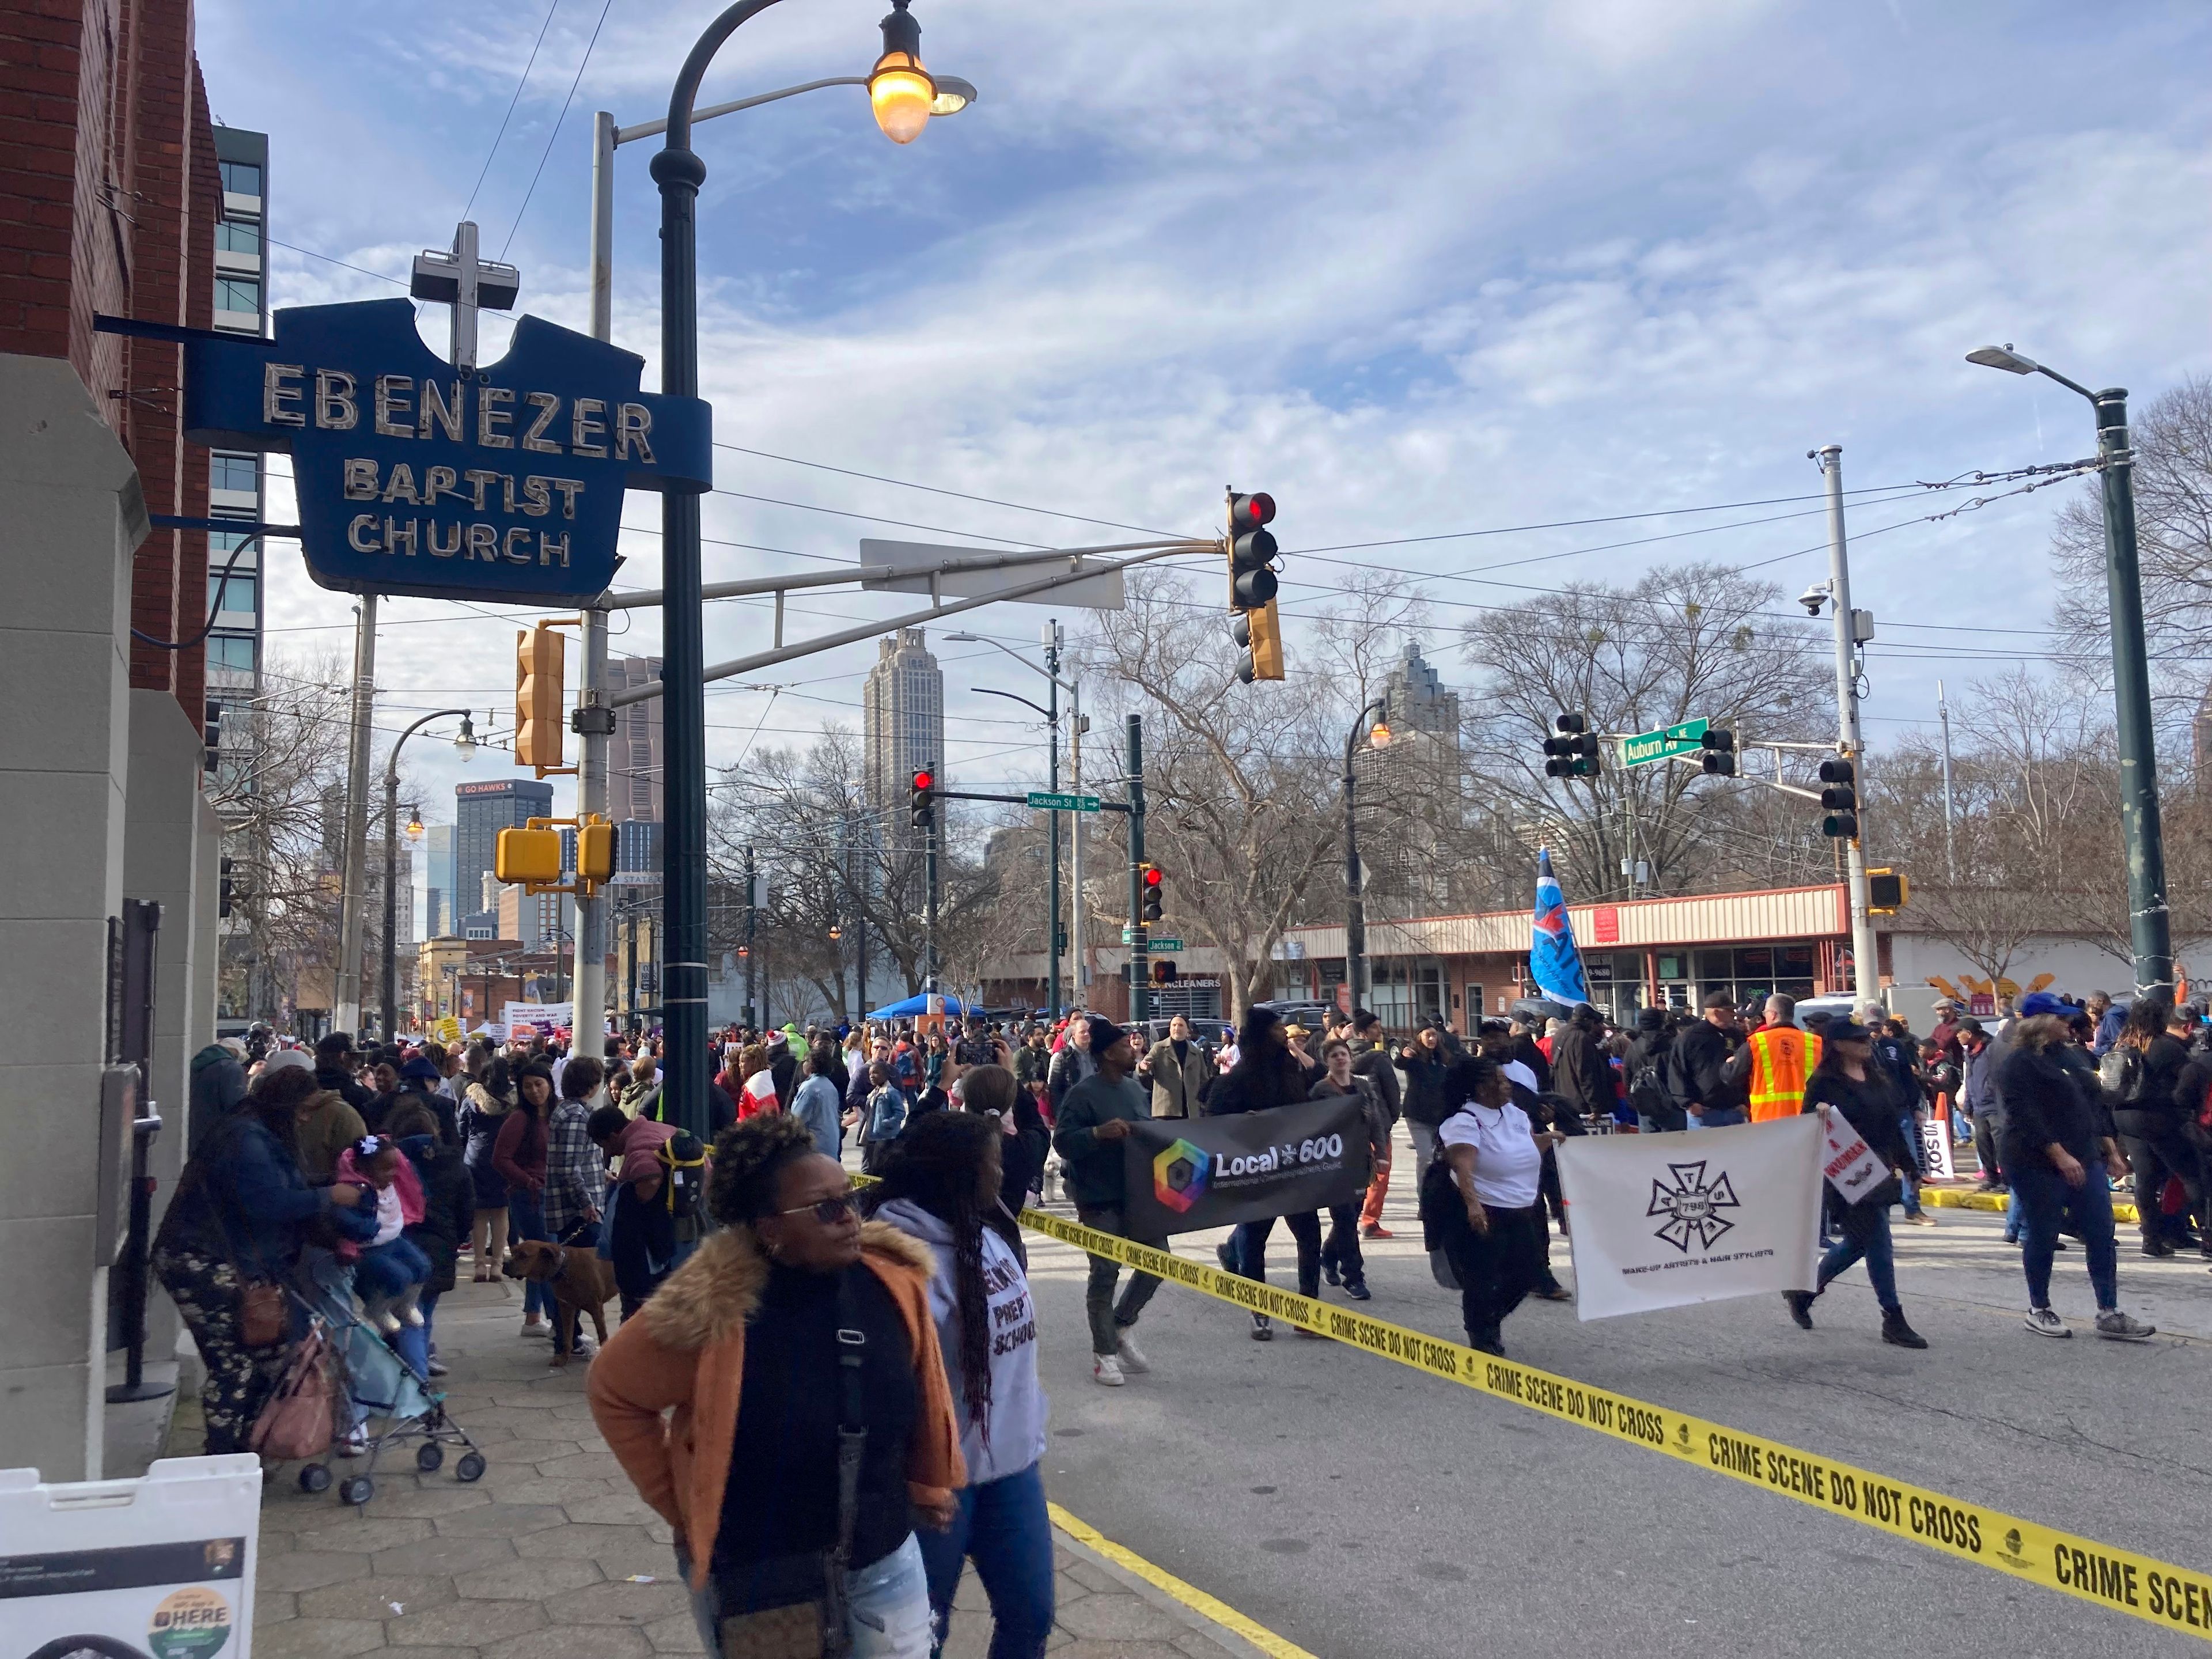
[2149,924]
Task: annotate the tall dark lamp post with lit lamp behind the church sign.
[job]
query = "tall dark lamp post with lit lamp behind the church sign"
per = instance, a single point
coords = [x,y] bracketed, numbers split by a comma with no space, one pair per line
[904,96]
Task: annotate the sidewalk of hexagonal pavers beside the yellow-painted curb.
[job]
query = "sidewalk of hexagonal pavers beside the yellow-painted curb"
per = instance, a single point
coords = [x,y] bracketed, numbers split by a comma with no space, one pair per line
[552,1556]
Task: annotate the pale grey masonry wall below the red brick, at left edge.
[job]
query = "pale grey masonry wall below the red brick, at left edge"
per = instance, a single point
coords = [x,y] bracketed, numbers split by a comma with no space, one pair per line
[72,517]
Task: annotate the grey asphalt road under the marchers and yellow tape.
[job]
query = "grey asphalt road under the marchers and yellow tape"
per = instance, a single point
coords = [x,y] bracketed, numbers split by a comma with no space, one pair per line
[1359,1507]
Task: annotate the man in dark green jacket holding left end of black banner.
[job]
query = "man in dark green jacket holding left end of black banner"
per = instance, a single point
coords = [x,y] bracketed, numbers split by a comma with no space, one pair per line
[1092,1125]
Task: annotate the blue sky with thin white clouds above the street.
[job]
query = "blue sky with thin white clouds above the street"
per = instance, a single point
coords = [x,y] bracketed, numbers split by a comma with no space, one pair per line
[1417,267]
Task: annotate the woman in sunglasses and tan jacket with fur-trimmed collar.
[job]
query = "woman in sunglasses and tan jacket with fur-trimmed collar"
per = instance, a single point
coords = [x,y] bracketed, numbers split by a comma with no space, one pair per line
[742,1348]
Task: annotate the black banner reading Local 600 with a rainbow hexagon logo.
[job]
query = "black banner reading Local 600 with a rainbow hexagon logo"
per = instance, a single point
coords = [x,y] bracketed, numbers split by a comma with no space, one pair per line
[1189,1173]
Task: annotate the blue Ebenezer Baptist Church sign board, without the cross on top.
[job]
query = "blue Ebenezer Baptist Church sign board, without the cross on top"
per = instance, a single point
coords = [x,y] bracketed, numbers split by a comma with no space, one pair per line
[415,477]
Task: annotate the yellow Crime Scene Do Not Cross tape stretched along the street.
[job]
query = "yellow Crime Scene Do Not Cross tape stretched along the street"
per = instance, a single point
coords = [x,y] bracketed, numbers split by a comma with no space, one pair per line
[2162,1594]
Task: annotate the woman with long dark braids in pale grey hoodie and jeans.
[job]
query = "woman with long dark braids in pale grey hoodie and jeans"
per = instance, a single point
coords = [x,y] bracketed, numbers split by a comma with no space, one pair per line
[943,1187]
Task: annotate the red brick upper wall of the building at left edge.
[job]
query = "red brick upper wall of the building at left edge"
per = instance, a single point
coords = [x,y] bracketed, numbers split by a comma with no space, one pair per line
[109,196]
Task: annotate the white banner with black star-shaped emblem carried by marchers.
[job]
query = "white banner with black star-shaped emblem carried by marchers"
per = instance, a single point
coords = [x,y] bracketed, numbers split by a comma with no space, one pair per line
[1695,1218]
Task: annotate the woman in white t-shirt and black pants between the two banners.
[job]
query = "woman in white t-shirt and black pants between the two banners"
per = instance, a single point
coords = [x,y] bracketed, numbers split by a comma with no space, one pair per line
[1496,1162]
